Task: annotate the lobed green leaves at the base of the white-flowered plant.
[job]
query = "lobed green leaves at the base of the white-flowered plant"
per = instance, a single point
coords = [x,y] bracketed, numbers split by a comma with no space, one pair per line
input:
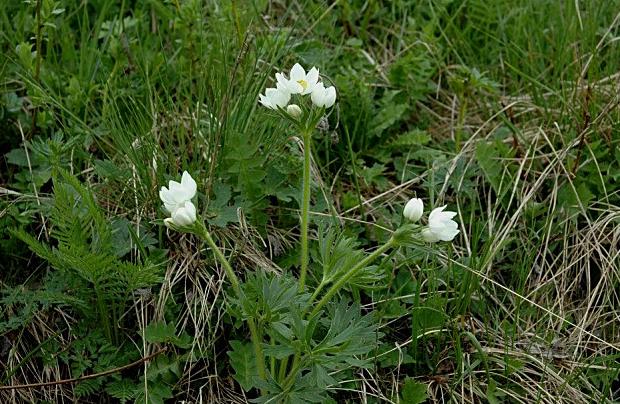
[325,345]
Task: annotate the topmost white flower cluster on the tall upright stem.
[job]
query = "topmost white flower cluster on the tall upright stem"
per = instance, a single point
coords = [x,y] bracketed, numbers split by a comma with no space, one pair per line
[298,82]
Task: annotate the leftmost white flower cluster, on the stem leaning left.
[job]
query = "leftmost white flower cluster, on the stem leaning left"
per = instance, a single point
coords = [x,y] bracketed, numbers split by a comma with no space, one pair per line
[177,199]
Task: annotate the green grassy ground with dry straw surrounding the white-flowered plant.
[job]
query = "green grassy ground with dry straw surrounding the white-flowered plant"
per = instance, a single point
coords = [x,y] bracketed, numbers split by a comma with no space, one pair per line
[505,111]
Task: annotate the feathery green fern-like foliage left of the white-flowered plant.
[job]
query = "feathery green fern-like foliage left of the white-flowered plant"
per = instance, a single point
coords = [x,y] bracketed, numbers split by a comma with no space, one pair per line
[85,248]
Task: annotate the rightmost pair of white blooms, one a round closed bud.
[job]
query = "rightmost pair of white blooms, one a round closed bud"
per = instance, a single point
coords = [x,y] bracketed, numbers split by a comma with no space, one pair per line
[440,223]
